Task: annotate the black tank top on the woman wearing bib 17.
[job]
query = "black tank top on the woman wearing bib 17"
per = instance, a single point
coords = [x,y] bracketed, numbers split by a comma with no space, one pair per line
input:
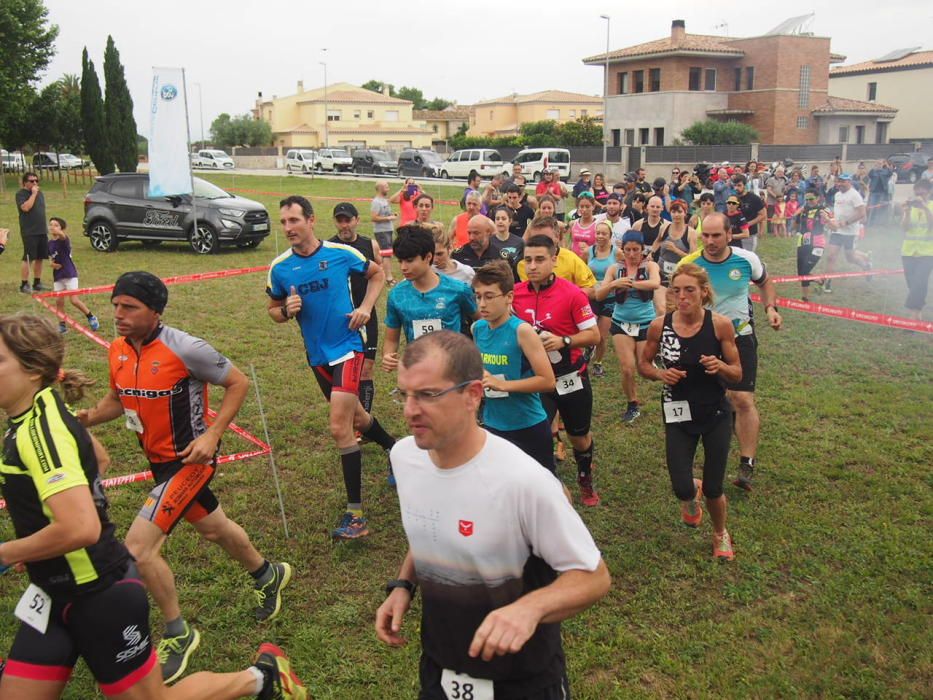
[704,392]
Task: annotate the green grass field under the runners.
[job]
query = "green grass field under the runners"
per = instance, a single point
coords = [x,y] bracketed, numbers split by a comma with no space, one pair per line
[830,593]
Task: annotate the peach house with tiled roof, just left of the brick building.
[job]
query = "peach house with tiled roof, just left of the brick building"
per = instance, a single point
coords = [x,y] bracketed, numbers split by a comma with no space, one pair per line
[504,116]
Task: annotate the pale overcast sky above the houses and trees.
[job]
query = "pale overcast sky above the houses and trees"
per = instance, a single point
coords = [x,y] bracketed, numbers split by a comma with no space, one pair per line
[460,51]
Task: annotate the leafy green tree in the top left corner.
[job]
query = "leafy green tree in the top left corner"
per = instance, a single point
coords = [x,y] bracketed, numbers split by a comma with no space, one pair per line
[26,47]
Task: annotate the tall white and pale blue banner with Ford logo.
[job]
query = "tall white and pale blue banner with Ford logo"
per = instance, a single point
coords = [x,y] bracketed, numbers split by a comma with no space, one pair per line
[169,163]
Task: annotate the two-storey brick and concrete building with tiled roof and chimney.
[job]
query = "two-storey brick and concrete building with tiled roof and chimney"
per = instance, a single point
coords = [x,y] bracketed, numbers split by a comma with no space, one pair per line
[777,83]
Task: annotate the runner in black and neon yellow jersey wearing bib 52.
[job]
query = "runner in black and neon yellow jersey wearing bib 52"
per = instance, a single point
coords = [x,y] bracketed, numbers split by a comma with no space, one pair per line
[85,598]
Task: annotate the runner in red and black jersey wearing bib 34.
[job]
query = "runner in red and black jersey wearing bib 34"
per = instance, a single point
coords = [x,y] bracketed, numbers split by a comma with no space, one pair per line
[561,314]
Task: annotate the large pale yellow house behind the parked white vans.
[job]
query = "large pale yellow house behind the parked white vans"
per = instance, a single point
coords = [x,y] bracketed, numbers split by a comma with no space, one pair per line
[346,116]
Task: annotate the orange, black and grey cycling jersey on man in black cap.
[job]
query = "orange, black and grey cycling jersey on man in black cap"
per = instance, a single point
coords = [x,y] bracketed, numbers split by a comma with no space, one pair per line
[163,388]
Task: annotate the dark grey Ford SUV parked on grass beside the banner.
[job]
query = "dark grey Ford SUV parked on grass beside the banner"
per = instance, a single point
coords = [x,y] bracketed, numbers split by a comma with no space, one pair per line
[118,208]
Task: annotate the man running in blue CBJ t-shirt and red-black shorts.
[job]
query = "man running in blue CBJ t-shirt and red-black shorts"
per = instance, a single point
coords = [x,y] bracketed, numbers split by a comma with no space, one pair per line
[310,284]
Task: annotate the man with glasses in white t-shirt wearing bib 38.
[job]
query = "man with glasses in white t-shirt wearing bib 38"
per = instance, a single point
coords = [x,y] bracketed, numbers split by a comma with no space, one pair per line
[499,553]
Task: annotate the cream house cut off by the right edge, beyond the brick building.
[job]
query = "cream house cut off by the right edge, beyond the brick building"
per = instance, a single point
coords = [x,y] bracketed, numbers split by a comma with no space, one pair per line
[902,79]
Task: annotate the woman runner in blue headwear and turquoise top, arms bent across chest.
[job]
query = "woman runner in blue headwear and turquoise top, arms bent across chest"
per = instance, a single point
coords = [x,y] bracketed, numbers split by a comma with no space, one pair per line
[631,284]
